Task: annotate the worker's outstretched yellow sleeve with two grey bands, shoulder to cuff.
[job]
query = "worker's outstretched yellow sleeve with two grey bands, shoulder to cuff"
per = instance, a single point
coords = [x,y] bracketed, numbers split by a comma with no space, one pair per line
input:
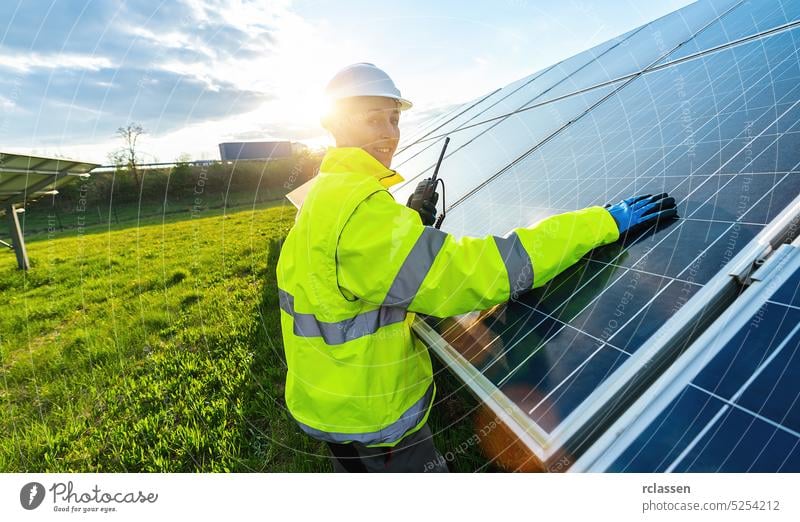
[386,256]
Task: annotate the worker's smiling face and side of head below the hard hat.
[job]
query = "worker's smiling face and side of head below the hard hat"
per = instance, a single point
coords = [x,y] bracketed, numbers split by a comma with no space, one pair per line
[368,122]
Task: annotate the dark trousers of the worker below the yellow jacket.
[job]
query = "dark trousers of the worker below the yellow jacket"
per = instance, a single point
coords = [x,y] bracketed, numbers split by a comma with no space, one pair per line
[415,453]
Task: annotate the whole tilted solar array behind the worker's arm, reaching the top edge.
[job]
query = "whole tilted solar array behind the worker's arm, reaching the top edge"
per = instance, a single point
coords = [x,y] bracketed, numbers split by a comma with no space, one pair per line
[703,104]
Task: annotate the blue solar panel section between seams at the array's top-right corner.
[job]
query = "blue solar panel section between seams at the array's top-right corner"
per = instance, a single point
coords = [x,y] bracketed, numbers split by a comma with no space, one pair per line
[747,19]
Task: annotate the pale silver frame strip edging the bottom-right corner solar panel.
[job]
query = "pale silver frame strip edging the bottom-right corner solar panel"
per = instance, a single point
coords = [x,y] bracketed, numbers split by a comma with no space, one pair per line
[784,262]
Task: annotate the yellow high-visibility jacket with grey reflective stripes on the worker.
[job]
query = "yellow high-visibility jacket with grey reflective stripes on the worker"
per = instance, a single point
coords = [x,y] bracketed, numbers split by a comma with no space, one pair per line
[355,268]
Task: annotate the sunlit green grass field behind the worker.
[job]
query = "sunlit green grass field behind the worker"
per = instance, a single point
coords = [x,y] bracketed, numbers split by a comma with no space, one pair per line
[154,345]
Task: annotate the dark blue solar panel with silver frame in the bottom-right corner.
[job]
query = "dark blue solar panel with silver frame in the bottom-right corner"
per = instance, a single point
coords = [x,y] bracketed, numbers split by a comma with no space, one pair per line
[730,403]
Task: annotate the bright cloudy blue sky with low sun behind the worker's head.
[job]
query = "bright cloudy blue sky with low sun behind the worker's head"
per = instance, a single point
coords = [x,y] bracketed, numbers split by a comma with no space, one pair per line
[195,73]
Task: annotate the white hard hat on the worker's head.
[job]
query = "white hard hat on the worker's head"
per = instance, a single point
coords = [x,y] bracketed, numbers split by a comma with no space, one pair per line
[364,79]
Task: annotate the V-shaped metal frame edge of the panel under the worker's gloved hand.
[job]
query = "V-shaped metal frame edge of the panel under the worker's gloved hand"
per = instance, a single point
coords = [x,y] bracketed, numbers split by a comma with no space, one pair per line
[584,425]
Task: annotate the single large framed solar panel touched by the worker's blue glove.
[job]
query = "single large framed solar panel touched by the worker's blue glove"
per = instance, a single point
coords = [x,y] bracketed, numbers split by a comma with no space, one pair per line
[719,132]
